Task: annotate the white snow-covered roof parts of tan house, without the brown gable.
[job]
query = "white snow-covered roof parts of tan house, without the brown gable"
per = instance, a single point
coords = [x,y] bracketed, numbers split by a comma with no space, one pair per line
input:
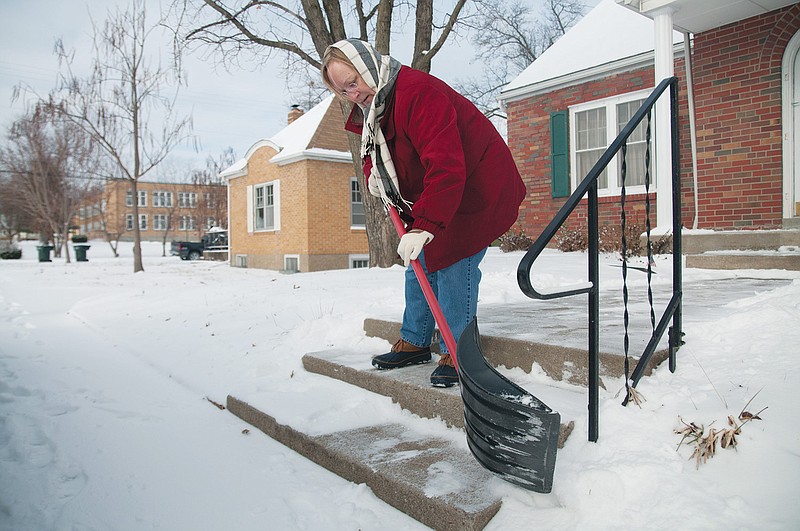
[294,142]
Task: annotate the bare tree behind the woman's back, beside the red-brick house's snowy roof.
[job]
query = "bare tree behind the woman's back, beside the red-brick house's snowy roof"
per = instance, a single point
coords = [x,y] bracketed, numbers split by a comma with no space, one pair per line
[509,35]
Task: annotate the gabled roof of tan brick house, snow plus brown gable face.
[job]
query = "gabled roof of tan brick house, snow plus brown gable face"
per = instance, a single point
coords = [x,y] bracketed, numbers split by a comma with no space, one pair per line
[317,135]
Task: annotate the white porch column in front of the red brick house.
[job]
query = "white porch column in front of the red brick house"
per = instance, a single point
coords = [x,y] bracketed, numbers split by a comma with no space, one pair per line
[664,68]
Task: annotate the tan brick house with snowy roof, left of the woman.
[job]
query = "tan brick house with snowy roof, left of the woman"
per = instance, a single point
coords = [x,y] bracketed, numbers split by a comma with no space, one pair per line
[294,200]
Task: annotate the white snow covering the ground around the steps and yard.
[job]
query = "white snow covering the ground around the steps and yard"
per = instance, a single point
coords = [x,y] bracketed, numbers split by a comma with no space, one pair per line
[108,378]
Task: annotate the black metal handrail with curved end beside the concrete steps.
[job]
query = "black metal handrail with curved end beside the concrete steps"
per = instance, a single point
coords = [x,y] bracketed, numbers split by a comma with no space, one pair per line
[588,187]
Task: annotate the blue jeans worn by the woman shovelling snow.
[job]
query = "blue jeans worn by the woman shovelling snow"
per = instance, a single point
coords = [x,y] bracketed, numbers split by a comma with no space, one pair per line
[456,289]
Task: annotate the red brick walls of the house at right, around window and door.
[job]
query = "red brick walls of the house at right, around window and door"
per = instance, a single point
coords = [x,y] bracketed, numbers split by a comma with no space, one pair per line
[737,88]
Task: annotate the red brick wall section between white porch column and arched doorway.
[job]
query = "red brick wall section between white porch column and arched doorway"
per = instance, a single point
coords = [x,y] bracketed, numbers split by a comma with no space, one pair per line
[737,73]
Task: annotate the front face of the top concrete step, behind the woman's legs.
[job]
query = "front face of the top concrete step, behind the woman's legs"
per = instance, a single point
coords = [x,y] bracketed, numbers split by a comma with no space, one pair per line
[558,362]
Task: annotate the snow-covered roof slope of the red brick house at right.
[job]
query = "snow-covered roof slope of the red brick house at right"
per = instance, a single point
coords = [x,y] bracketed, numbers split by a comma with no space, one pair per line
[609,37]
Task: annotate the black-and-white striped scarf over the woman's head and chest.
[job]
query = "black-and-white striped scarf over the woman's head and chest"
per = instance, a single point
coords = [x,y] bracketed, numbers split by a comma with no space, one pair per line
[379,72]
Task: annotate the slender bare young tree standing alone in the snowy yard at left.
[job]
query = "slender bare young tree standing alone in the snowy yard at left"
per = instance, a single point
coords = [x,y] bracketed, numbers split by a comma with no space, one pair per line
[122,104]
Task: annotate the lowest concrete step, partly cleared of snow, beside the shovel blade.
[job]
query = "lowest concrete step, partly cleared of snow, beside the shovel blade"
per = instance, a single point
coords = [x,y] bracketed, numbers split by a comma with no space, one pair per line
[401,466]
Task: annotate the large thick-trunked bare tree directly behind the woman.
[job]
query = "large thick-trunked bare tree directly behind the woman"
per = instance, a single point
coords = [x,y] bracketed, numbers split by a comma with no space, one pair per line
[242,30]
